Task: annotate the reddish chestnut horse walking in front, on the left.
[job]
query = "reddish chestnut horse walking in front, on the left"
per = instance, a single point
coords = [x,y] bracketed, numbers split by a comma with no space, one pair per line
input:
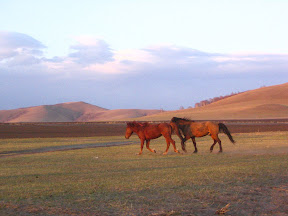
[146,132]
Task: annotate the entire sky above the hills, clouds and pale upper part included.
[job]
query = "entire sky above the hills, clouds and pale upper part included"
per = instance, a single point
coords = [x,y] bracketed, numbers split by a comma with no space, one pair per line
[152,54]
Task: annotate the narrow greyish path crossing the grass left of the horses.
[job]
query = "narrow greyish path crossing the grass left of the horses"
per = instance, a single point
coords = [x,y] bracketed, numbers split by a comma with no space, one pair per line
[61,148]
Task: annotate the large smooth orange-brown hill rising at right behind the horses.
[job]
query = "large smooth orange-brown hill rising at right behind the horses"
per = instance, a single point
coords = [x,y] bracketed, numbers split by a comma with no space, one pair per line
[263,103]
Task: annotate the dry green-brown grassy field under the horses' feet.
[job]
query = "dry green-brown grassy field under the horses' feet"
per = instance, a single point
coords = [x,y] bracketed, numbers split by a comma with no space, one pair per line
[251,176]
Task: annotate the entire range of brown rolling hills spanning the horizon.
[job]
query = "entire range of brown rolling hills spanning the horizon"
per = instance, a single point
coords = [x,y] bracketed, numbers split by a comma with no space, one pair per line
[263,103]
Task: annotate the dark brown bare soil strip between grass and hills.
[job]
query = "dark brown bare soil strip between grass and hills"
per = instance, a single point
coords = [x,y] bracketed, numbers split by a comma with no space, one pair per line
[93,129]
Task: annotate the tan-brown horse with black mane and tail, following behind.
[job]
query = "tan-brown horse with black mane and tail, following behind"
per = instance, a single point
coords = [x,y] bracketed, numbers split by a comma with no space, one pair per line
[192,129]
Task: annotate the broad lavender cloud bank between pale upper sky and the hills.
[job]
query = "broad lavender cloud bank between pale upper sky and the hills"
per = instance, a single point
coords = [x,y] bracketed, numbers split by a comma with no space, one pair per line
[162,76]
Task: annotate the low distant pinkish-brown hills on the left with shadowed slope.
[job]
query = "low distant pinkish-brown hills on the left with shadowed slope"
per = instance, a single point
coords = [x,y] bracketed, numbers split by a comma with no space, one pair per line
[70,112]
